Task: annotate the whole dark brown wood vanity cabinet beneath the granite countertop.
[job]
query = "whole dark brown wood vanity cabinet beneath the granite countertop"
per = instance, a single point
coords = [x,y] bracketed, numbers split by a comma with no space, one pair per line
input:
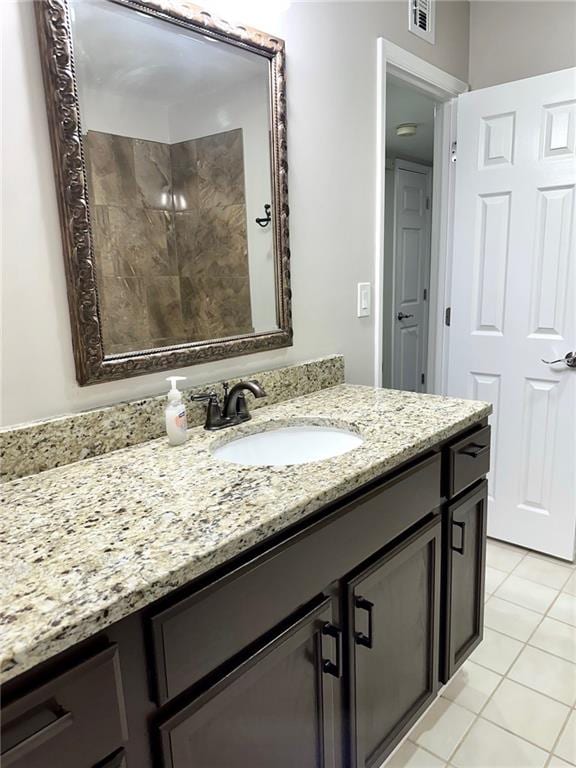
[319,648]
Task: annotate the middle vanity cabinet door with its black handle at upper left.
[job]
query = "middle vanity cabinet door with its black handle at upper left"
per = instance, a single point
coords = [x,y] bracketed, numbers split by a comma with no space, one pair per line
[394,606]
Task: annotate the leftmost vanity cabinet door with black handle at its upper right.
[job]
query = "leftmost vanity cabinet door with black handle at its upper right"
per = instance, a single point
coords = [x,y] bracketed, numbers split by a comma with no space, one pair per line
[275,709]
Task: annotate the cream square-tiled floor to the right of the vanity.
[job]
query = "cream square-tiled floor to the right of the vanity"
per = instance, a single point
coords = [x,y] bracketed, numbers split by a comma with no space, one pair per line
[512,704]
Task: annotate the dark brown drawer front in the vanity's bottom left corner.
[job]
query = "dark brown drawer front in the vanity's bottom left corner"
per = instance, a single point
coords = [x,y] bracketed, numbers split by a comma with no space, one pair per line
[75,720]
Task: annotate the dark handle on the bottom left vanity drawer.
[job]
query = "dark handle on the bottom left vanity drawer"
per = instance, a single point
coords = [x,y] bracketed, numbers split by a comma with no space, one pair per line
[45,723]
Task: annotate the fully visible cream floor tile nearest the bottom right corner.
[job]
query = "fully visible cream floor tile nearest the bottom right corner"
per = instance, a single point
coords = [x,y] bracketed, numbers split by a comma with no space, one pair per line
[526,713]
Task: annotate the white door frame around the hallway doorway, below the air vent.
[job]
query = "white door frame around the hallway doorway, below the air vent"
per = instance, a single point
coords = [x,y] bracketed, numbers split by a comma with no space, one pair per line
[391,59]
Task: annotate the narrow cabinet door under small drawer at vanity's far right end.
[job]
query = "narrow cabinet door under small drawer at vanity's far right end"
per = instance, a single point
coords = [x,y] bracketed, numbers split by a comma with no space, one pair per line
[465,560]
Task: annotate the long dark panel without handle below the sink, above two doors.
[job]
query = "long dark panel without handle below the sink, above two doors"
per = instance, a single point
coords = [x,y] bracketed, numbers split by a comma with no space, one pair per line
[193,637]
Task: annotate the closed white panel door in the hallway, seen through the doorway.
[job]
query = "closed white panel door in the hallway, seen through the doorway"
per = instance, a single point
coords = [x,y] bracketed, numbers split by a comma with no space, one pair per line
[411,275]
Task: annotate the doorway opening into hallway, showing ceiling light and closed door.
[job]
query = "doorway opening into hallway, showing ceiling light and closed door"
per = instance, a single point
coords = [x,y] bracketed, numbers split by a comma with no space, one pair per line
[407,225]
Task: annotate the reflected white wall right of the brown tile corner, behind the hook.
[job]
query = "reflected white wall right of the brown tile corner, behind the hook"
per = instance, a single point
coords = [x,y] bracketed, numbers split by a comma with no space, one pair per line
[243,106]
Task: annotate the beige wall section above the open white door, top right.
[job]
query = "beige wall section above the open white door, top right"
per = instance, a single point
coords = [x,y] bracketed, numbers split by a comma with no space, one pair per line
[520,38]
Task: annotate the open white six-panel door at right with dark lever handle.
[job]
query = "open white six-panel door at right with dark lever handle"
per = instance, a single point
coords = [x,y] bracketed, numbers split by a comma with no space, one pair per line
[514,298]
